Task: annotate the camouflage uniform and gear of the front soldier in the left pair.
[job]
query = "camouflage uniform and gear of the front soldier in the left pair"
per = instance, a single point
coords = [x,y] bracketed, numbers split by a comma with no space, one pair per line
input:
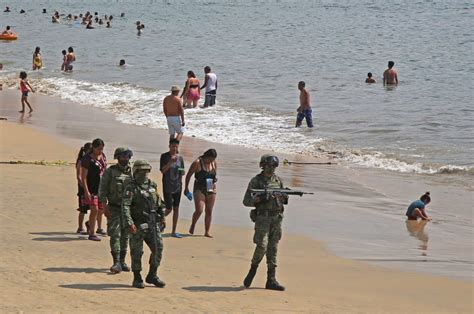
[133,206]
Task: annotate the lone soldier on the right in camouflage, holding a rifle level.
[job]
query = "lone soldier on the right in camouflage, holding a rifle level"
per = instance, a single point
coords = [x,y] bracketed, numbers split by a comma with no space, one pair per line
[268,216]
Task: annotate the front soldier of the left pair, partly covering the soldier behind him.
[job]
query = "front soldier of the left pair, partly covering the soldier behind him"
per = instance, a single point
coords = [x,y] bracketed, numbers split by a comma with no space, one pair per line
[140,192]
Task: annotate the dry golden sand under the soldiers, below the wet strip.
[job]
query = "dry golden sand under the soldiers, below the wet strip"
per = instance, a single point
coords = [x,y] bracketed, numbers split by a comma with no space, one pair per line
[202,274]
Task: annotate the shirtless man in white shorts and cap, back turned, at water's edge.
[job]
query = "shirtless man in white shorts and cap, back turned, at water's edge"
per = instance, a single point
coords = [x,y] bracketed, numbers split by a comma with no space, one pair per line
[174,112]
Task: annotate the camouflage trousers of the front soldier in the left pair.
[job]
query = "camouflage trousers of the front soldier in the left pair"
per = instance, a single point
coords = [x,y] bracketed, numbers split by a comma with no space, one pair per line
[136,249]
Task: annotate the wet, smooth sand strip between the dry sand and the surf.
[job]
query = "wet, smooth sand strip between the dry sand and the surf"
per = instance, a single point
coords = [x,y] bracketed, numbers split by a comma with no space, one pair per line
[342,194]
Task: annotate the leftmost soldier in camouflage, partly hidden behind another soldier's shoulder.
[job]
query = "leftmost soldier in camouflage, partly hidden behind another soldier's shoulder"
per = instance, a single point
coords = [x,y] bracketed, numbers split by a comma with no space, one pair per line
[111,189]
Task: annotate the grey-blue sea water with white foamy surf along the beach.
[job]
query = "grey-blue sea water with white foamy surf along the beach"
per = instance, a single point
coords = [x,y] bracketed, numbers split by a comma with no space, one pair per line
[260,50]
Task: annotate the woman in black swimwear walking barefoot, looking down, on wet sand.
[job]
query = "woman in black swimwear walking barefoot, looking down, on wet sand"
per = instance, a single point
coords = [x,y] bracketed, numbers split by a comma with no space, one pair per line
[204,169]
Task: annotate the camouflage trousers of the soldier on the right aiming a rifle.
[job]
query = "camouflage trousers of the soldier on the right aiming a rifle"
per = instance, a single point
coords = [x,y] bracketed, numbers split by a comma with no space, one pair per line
[266,237]
